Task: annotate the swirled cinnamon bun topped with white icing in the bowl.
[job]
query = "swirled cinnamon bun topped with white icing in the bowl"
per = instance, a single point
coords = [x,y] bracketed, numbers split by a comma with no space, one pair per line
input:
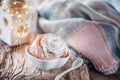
[50,46]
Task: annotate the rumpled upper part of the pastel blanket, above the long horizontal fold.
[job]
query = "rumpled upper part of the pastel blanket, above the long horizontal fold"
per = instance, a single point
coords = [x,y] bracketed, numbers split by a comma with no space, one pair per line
[89,9]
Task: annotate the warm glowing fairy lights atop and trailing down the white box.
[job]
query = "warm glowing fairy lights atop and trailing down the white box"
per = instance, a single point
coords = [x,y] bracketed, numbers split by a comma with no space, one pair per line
[21,23]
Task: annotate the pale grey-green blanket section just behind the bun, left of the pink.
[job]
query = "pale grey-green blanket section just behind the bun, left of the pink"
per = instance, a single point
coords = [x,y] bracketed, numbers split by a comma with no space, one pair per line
[61,27]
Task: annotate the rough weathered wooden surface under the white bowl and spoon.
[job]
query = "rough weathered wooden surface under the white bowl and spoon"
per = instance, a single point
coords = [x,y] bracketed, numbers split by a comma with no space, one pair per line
[14,65]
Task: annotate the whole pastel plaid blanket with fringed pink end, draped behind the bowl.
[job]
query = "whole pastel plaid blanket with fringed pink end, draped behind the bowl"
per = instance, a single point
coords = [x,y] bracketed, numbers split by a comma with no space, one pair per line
[91,27]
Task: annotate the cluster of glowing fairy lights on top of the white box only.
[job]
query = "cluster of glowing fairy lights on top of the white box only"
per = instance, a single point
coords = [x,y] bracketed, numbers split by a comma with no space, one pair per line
[16,6]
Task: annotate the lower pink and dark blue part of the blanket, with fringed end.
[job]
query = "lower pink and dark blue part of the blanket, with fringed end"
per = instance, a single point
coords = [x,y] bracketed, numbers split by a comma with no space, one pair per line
[96,42]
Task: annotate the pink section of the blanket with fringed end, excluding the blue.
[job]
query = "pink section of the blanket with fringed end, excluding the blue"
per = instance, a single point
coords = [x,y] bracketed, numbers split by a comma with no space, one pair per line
[91,42]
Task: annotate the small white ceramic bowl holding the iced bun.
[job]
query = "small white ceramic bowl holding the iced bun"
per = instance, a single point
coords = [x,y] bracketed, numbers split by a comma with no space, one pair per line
[47,64]
